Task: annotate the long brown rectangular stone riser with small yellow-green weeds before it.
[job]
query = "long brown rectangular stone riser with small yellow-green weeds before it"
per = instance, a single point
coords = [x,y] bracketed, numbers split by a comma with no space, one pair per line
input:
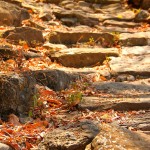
[73,37]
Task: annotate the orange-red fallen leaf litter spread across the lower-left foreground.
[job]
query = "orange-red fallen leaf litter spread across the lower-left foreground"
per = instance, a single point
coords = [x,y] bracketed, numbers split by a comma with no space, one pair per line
[51,110]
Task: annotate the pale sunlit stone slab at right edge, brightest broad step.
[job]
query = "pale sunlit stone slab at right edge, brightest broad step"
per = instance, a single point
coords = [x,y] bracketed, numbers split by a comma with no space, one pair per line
[137,65]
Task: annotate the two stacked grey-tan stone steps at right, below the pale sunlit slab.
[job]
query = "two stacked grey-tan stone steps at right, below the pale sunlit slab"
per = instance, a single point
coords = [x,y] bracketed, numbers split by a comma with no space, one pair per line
[123,96]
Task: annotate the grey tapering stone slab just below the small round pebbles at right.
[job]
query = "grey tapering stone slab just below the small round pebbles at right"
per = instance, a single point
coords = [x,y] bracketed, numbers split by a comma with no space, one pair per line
[129,89]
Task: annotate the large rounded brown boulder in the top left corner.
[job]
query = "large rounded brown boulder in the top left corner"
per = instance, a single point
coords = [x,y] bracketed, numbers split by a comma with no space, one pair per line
[11,14]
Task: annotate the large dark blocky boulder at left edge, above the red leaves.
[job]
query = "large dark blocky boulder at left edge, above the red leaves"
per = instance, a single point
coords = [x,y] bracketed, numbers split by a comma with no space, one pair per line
[16,93]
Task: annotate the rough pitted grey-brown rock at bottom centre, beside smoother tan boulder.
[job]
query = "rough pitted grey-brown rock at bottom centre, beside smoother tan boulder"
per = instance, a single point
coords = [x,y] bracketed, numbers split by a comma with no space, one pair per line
[70,139]
